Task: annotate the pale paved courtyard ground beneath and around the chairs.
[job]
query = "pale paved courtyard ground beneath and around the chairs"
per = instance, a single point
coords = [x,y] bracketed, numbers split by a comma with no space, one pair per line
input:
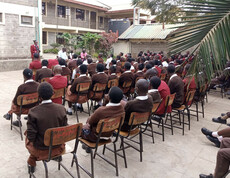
[179,156]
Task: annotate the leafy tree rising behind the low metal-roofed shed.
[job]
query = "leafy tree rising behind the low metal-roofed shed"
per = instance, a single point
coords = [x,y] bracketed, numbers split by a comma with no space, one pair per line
[166,11]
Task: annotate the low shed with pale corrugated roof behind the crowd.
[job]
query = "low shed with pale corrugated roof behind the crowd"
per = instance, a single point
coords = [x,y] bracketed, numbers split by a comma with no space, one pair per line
[145,37]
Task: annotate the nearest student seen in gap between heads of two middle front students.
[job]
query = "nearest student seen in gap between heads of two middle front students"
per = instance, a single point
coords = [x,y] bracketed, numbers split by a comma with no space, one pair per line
[127,75]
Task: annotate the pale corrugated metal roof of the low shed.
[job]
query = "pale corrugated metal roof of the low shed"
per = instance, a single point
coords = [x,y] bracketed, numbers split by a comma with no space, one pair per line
[149,31]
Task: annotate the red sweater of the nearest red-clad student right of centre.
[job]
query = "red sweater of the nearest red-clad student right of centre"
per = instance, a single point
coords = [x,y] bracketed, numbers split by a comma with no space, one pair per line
[164,91]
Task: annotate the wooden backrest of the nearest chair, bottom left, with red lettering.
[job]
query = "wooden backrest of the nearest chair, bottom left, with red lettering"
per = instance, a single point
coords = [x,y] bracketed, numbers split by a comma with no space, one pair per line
[61,135]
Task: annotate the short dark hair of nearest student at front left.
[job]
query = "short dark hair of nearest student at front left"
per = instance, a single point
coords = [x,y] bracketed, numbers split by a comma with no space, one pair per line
[45,91]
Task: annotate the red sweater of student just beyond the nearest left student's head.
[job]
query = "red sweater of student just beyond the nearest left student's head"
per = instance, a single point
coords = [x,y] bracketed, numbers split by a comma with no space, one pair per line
[58,82]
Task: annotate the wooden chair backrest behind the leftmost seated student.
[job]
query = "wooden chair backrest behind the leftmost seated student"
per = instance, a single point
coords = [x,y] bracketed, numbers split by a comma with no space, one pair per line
[27,99]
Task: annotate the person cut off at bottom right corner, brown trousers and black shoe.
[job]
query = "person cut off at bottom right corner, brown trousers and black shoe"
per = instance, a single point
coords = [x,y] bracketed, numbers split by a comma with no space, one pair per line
[223,160]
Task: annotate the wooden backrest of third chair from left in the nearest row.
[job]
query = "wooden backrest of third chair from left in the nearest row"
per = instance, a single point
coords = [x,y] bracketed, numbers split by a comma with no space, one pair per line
[137,118]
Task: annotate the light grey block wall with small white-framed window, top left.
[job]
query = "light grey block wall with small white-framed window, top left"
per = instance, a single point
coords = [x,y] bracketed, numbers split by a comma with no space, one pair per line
[16,38]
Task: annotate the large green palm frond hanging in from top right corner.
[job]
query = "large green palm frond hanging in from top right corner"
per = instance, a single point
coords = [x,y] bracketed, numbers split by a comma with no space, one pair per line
[208,33]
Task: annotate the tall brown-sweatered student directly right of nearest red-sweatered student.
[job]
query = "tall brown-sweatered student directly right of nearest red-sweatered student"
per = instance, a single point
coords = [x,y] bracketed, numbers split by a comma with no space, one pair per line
[176,85]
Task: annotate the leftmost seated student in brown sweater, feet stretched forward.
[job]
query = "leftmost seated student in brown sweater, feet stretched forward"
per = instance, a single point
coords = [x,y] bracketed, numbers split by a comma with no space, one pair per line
[29,86]
